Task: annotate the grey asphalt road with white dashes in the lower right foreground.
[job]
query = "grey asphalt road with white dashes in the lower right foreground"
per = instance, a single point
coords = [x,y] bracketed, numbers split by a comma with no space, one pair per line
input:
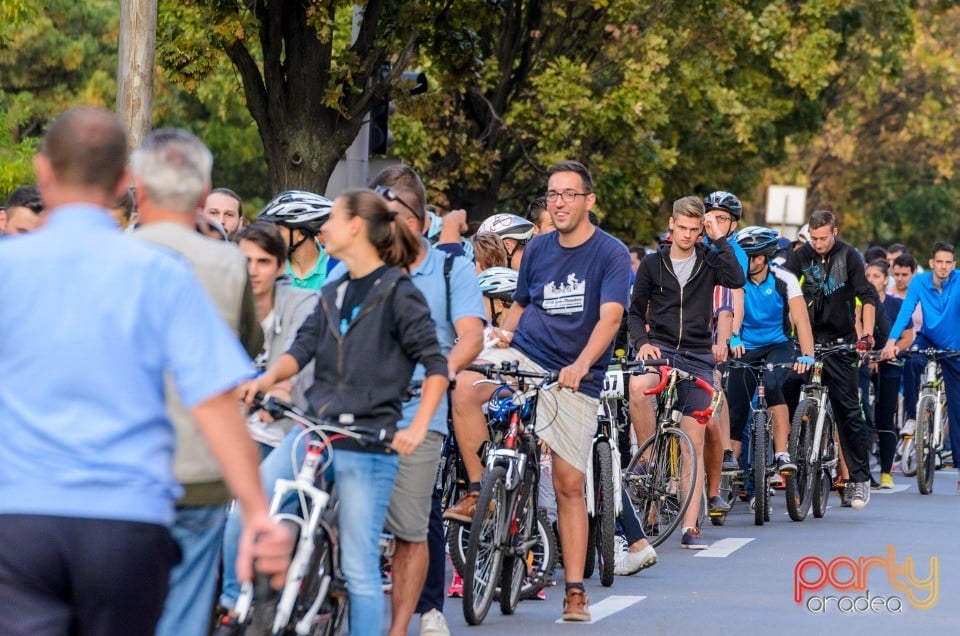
[856,565]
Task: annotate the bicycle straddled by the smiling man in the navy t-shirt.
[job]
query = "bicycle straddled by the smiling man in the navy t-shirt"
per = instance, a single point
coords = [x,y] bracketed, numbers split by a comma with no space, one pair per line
[508,529]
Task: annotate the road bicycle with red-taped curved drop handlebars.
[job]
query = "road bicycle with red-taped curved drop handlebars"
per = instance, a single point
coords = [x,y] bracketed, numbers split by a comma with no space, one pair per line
[662,474]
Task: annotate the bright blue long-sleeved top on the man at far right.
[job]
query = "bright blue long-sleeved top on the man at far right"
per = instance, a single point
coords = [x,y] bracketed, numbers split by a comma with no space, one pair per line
[940,310]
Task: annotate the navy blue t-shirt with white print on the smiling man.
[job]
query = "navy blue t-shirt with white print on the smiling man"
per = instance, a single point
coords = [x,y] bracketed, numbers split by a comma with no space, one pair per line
[562,289]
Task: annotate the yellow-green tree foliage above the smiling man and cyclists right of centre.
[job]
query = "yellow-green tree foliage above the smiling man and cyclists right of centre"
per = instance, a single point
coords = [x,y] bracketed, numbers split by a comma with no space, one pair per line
[659,99]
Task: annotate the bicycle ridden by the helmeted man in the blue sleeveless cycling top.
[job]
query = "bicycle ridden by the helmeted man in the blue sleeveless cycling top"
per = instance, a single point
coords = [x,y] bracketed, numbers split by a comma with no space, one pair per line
[761,469]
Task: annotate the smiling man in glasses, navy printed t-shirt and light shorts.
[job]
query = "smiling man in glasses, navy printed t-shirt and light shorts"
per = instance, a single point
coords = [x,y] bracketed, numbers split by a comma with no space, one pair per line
[572,291]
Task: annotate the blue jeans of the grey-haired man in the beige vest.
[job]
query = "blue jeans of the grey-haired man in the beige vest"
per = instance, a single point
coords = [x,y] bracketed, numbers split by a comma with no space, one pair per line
[198,531]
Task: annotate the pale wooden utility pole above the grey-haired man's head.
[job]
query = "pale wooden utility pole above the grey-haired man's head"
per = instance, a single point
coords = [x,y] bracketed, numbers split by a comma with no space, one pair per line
[138,43]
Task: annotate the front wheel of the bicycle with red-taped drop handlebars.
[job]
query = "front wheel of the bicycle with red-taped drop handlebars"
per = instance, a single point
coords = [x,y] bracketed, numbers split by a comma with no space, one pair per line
[662,494]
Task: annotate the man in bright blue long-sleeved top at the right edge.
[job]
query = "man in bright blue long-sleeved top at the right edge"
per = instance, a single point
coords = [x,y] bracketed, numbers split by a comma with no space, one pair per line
[938,294]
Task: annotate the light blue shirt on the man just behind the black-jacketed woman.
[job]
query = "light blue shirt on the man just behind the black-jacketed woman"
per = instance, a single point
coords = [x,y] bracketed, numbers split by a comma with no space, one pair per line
[466,301]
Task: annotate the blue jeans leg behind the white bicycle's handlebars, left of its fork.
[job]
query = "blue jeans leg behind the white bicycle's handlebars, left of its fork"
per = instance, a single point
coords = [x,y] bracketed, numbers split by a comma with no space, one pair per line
[276,465]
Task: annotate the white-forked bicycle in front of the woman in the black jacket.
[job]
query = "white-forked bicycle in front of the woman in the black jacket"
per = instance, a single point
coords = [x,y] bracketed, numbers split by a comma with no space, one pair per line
[313,599]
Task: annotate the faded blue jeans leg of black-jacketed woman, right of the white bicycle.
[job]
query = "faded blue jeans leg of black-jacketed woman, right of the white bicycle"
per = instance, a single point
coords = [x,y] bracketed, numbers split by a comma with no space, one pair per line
[364,484]
